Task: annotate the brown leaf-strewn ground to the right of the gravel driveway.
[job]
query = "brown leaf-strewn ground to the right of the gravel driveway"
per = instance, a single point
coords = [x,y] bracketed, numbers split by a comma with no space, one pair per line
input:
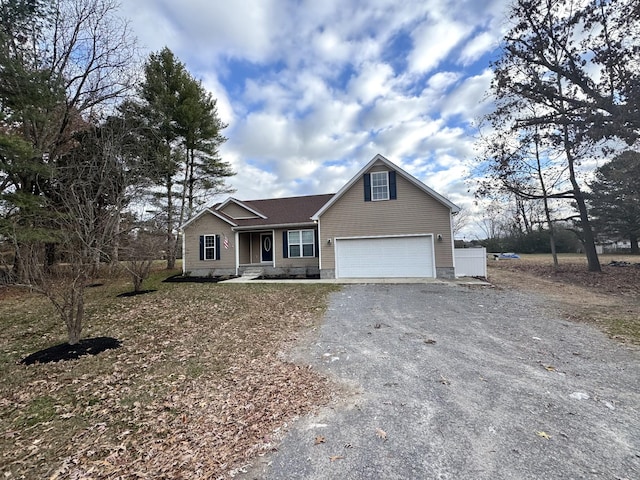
[610,299]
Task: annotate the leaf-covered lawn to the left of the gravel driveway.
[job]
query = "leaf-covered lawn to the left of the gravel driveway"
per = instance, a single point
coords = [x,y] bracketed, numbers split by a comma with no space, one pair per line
[195,391]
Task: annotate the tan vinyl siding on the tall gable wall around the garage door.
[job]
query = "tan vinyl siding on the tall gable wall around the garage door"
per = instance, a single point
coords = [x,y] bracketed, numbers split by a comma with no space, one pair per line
[414,212]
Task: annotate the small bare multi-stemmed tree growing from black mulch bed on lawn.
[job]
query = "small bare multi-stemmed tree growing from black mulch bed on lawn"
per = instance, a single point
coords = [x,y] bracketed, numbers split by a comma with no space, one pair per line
[90,192]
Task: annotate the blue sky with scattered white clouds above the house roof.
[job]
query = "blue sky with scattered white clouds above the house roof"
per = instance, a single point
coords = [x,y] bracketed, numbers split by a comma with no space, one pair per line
[312,90]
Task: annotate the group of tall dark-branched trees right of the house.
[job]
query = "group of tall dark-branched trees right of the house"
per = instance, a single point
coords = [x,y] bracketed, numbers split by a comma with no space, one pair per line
[567,92]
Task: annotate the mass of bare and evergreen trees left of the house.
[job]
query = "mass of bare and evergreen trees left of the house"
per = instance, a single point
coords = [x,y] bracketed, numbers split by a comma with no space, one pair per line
[84,142]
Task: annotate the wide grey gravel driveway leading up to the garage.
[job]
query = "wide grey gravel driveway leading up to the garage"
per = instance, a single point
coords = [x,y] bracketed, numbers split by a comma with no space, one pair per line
[452,382]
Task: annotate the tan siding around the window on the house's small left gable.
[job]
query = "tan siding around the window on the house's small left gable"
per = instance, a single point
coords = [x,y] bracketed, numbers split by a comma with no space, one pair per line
[208,224]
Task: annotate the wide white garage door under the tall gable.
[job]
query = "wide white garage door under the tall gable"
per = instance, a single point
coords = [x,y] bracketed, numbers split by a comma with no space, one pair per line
[383,257]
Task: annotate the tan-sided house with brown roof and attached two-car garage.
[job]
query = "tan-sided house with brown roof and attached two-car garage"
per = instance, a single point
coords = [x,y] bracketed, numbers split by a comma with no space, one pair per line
[382,223]
